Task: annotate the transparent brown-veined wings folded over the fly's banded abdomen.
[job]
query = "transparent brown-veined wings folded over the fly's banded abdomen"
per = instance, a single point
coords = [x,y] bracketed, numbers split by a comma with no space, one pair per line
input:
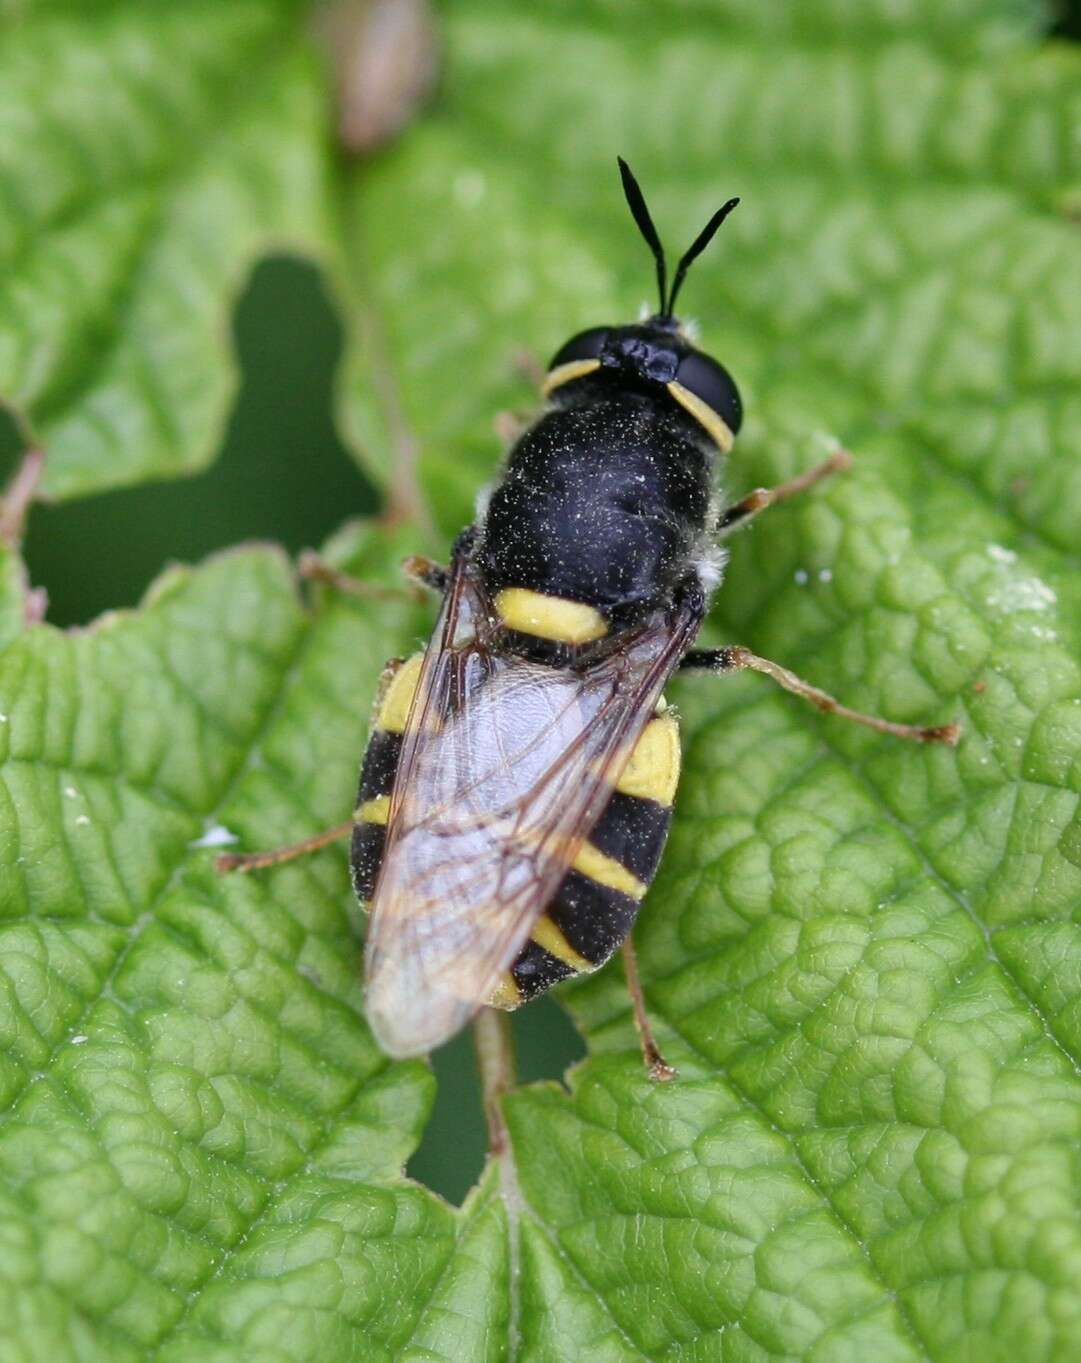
[506,767]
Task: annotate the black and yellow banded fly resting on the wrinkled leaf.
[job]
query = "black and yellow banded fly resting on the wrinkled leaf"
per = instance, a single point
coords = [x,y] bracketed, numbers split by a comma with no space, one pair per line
[519,784]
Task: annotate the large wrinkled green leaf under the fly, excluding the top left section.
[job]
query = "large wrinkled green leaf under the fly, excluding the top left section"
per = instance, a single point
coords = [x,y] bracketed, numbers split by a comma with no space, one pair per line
[862,955]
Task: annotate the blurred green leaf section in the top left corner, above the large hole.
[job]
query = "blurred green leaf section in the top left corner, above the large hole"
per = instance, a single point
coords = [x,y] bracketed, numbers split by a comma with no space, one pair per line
[149,155]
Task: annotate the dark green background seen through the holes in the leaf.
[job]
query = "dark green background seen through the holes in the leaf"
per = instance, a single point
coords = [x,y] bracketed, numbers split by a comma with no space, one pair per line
[283,475]
